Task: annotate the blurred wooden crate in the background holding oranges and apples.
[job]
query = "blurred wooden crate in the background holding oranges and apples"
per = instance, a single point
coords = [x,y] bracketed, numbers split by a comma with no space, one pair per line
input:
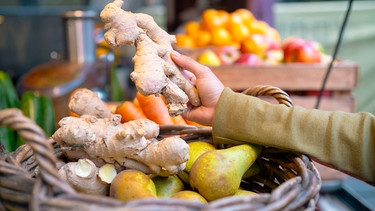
[299,80]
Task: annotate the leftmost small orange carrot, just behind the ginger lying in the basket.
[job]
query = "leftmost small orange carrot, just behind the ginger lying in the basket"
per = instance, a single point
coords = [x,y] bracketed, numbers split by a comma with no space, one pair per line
[129,111]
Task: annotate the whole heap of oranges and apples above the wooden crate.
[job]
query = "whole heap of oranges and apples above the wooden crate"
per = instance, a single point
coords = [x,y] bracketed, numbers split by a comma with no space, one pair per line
[226,38]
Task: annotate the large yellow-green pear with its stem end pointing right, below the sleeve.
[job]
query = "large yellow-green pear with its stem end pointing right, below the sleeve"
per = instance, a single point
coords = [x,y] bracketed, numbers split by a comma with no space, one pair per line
[218,173]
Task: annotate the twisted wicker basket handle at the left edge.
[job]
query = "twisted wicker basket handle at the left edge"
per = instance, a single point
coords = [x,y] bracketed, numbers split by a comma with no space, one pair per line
[34,137]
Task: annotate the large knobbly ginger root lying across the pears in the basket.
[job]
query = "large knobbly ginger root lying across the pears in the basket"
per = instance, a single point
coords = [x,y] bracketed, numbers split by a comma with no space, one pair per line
[131,145]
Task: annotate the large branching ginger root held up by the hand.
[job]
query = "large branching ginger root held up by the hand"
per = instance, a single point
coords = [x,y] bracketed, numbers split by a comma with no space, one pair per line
[154,71]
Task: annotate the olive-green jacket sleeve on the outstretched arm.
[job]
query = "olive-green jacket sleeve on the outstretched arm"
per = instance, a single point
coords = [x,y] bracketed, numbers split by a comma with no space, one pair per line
[344,140]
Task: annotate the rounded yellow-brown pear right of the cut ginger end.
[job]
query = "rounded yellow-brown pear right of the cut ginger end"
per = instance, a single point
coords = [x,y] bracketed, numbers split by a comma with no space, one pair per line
[132,184]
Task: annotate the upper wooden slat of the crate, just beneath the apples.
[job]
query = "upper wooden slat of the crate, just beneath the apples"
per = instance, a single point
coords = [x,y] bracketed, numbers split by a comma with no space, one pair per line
[344,76]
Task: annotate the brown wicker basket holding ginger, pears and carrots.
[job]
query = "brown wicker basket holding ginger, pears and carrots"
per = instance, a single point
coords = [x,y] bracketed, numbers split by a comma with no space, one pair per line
[29,180]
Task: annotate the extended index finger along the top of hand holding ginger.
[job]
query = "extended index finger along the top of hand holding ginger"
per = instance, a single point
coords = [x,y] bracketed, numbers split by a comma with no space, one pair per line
[190,64]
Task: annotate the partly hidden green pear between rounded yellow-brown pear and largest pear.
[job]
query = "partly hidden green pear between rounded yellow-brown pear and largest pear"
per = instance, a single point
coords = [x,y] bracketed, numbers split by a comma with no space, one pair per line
[167,186]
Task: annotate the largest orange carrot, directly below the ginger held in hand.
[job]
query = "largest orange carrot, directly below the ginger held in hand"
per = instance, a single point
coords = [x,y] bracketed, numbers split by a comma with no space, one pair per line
[154,108]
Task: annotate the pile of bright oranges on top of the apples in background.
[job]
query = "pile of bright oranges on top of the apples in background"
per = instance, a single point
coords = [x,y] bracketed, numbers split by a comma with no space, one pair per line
[222,28]
